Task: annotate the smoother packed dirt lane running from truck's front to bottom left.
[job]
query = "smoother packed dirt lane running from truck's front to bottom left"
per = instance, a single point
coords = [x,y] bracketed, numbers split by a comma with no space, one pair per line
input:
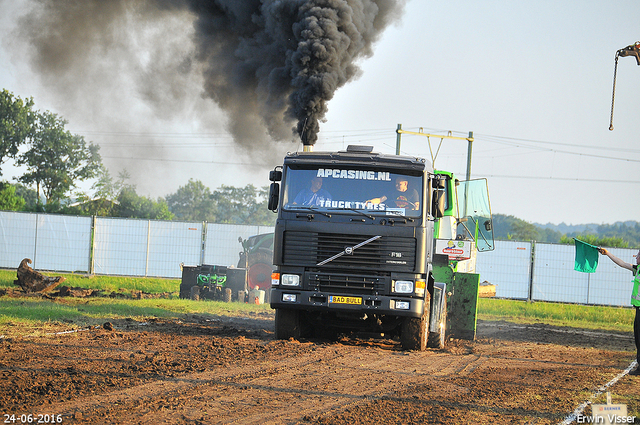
[328,378]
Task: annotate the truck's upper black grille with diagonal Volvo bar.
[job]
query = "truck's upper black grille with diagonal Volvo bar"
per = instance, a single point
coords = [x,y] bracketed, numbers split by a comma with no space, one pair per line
[386,253]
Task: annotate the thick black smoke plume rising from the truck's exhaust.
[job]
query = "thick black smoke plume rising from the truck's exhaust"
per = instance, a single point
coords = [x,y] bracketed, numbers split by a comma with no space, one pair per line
[270,65]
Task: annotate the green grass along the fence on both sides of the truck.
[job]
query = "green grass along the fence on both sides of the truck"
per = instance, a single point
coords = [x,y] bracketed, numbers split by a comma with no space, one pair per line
[27,314]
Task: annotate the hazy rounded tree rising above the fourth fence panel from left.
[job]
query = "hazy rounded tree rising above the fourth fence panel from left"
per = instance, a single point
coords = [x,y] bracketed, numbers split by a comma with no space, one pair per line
[193,202]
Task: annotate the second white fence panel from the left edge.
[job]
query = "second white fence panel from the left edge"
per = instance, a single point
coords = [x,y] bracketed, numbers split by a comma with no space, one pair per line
[63,243]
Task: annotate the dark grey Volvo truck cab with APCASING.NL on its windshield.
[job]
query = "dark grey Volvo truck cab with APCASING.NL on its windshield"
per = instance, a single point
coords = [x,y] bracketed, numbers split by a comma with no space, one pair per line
[353,247]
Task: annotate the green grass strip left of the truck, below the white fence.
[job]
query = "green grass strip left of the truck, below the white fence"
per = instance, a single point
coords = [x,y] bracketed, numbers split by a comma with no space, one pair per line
[35,315]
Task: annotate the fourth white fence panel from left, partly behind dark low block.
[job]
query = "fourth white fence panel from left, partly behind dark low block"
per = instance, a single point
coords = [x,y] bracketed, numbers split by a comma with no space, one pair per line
[172,243]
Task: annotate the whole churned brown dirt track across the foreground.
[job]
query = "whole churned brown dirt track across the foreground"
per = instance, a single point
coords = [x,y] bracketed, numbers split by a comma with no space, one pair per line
[306,382]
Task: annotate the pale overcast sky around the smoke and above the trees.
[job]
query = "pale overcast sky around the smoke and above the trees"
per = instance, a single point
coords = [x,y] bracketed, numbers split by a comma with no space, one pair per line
[531,79]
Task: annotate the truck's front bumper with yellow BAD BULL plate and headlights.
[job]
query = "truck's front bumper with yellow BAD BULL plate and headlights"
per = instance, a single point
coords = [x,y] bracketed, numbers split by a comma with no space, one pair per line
[294,298]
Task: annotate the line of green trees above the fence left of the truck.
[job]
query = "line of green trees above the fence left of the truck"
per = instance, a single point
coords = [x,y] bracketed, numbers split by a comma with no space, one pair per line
[56,161]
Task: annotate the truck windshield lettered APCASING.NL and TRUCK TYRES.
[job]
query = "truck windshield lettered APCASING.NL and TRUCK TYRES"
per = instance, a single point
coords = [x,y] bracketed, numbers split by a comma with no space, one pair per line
[353,190]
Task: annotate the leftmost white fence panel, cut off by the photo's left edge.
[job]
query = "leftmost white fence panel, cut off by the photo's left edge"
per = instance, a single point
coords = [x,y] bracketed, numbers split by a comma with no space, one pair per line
[17,238]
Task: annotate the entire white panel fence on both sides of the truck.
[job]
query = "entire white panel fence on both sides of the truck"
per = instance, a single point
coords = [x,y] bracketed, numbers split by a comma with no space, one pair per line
[134,247]
